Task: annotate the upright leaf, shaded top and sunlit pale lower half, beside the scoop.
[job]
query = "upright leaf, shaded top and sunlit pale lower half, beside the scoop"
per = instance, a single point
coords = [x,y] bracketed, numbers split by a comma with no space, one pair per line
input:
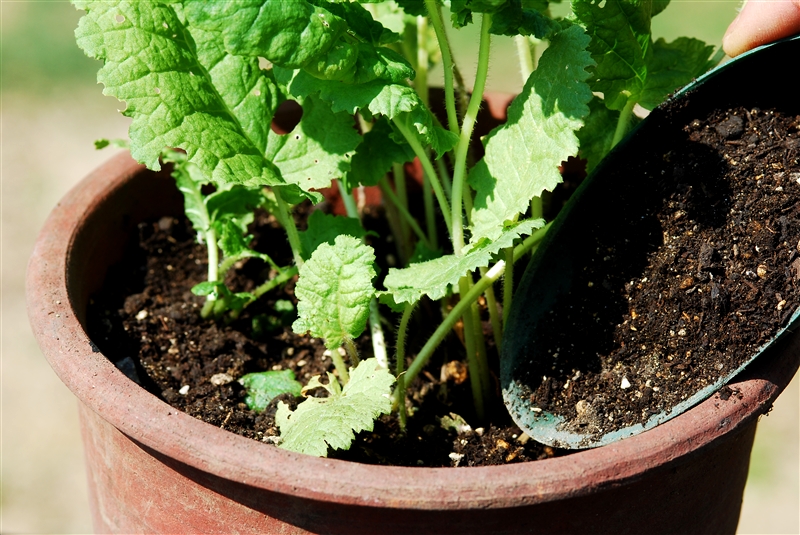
[522,156]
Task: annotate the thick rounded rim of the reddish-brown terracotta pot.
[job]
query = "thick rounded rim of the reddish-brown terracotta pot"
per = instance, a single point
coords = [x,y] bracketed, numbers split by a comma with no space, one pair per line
[151,422]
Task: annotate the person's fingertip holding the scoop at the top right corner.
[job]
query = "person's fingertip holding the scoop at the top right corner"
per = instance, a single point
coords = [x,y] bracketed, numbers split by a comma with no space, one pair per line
[761,22]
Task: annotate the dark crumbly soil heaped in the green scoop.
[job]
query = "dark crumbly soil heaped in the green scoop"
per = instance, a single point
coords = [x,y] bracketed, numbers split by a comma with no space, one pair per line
[720,275]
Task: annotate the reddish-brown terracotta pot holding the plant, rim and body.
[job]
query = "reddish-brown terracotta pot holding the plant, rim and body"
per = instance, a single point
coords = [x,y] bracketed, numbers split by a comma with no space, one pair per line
[153,469]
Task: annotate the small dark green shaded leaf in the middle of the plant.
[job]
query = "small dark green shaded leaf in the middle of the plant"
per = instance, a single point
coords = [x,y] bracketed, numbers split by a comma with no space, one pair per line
[375,156]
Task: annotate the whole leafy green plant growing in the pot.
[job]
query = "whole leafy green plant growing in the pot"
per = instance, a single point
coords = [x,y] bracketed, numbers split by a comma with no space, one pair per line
[207,78]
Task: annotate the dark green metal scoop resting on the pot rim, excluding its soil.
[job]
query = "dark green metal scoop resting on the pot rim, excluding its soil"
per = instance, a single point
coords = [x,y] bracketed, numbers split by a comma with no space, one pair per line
[762,78]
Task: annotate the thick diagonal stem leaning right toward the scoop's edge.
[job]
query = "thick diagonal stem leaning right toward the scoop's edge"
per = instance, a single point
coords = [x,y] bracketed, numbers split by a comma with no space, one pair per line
[491,276]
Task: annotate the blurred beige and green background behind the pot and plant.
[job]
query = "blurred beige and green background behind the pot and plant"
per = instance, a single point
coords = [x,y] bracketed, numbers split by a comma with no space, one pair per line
[51,111]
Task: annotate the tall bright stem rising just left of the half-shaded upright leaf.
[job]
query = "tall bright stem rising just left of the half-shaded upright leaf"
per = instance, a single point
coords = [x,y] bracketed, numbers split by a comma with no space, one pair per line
[459,173]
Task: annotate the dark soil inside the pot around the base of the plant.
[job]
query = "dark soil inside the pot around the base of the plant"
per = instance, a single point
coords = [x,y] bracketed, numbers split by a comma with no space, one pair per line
[148,320]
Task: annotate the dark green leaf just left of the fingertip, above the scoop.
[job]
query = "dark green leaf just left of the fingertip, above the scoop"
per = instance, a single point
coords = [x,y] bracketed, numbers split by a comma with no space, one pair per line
[674,65]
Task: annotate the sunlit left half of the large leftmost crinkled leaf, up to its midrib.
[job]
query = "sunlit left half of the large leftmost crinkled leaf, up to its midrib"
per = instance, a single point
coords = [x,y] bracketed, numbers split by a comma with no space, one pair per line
[151,63]
